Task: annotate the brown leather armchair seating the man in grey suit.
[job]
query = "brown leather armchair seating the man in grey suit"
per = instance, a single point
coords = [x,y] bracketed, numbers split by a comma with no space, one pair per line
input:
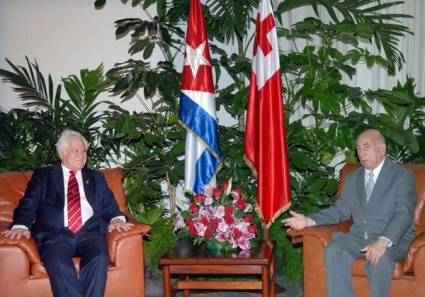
[409,275]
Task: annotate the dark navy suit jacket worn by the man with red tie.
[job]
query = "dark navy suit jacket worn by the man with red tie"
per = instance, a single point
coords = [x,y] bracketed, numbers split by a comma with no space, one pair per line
[42,207]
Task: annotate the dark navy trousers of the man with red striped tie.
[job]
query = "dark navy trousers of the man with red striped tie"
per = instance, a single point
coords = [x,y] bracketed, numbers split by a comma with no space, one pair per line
[57,251]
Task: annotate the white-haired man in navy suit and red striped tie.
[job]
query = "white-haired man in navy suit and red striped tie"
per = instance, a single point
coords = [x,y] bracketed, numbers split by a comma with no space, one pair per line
[68,209]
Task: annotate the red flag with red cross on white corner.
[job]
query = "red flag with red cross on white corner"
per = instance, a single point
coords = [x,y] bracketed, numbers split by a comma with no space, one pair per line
[265,140]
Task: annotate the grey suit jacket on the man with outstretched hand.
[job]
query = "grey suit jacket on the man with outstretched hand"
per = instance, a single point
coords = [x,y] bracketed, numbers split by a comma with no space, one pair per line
[390,209]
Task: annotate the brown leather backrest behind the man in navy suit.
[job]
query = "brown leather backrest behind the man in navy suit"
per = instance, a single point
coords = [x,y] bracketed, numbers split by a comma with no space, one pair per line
[14,184]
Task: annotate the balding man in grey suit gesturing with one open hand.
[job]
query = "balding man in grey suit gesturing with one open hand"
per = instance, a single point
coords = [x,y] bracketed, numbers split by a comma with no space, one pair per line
[380,198]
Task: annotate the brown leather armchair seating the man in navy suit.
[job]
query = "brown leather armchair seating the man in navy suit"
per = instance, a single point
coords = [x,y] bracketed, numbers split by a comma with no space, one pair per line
[22,273]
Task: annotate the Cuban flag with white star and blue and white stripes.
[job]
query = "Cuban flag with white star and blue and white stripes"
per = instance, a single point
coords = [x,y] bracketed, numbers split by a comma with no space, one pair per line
[197,107]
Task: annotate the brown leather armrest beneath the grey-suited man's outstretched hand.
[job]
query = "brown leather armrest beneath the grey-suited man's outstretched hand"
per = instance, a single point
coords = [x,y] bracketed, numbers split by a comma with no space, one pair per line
[323,233]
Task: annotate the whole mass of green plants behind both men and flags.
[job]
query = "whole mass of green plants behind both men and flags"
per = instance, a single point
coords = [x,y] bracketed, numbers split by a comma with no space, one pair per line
[152,143]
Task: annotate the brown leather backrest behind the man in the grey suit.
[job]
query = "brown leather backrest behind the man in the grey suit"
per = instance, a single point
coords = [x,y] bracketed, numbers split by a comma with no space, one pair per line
[419,172]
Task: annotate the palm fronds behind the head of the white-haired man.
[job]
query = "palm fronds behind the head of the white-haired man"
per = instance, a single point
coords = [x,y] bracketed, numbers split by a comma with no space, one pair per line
[28,136]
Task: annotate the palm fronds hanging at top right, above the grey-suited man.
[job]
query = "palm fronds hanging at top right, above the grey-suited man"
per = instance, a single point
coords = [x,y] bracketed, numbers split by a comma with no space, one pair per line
[361,20]
